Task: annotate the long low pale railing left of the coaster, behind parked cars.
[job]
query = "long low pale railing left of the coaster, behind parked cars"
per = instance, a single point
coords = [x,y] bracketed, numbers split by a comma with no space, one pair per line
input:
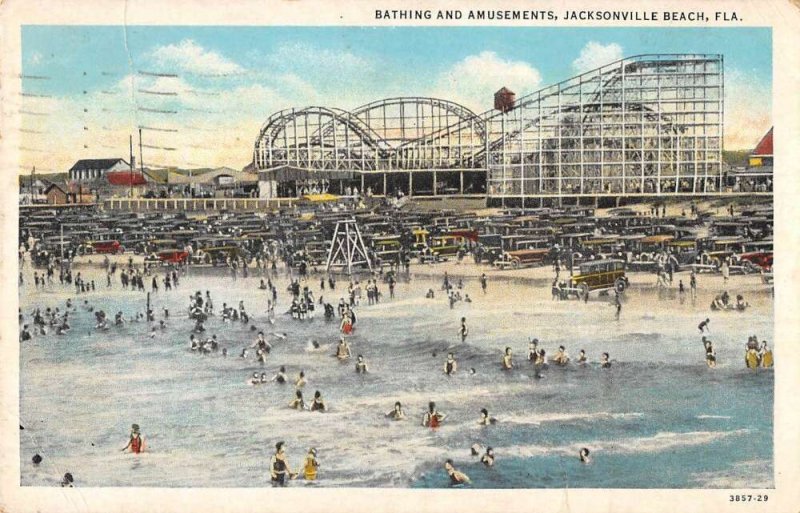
[196,204]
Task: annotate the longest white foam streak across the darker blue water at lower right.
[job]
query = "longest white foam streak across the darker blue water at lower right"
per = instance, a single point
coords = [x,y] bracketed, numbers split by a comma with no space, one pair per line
[659,442]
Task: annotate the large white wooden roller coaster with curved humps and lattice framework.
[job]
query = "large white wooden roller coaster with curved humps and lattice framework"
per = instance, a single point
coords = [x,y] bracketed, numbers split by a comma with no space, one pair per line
[642,126]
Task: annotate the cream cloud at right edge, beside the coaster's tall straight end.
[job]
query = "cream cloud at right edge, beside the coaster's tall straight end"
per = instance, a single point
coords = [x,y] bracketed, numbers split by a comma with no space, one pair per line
[748,109]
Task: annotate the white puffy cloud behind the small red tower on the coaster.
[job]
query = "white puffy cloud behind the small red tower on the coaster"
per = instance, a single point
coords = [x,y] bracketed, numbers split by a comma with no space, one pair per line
[474,80]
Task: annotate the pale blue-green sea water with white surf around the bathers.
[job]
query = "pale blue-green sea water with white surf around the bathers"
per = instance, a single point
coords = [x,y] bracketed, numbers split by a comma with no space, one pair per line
[657,418]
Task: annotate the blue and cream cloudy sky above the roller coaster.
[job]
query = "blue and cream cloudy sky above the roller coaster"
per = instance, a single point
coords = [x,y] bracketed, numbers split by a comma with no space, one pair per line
[201,94]
